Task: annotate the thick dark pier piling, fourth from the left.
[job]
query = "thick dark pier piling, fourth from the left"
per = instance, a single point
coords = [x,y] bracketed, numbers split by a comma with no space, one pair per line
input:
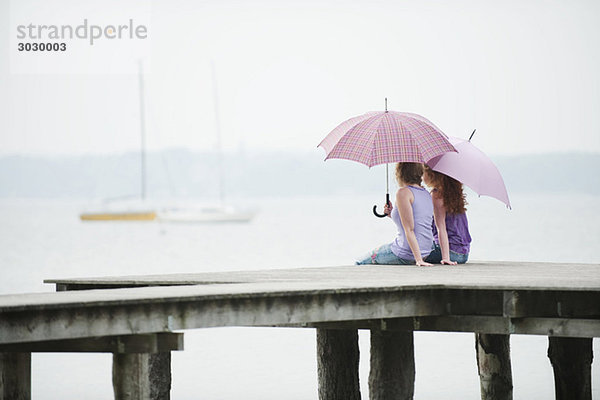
[392,374]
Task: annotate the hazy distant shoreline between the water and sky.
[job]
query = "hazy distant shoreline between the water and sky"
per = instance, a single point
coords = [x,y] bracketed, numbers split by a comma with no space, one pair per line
[182,173]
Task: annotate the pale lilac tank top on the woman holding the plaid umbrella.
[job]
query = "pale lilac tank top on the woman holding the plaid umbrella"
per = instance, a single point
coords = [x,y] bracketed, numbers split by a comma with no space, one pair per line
[423,217]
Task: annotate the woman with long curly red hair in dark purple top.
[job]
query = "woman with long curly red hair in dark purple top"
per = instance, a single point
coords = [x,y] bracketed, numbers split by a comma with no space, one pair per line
[451,228]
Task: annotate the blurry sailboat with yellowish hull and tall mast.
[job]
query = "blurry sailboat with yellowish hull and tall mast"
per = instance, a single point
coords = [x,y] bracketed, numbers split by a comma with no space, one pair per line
[117,209]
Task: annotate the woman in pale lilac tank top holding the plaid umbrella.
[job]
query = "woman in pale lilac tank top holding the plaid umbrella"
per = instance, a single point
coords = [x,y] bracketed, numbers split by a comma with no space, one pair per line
[413,216]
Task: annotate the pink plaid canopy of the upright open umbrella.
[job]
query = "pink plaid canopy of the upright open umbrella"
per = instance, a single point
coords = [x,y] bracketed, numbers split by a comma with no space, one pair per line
[380,137]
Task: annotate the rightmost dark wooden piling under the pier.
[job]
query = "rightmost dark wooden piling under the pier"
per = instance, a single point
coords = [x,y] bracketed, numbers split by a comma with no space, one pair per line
[571,360]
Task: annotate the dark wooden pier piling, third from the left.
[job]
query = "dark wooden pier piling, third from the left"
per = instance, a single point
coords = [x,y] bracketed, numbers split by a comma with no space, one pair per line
[337,361]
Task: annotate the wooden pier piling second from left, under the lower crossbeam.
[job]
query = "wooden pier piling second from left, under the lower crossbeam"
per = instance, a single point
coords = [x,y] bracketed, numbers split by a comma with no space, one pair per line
[142,376]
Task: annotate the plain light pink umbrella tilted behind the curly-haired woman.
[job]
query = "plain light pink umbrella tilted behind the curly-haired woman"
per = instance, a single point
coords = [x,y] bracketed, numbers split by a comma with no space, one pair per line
[473,168]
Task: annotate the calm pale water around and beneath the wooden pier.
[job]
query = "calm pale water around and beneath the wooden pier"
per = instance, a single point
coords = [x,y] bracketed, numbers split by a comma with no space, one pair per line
[45,239]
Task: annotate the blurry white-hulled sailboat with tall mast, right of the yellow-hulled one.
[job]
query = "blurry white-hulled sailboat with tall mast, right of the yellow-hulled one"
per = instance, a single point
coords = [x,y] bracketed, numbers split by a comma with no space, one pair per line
[221,212]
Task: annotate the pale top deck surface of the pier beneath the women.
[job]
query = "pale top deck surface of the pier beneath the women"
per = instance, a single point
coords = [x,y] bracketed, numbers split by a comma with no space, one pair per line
[492,275]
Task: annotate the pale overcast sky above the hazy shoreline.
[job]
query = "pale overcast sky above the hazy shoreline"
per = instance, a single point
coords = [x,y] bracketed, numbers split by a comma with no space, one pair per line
[524,73]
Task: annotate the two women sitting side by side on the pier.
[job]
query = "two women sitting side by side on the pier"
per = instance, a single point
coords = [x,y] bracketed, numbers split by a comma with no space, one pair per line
[432,227]
